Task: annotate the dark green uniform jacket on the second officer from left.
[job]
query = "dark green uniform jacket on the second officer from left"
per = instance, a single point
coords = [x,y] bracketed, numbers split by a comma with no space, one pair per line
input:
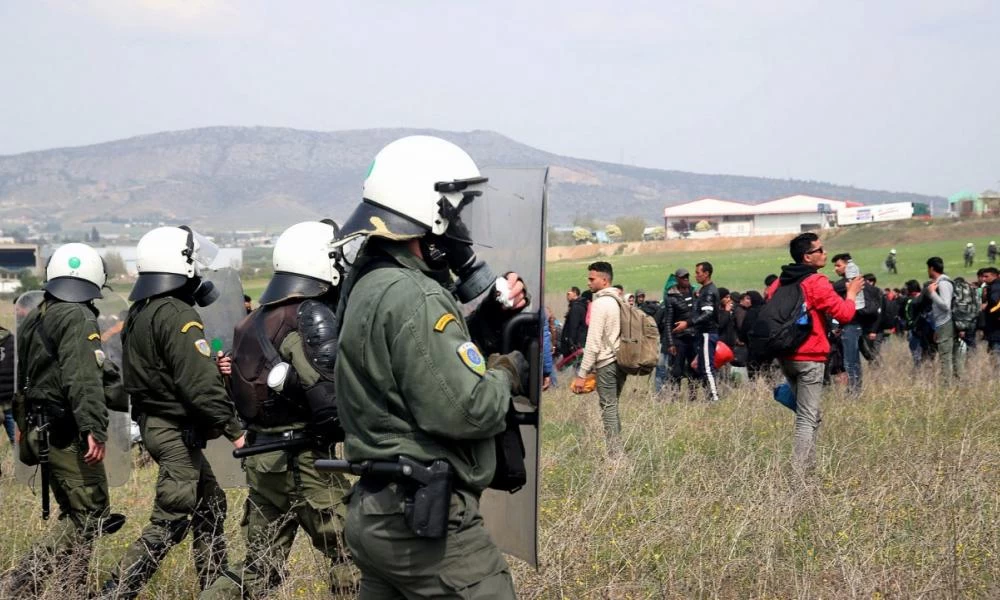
[169,368]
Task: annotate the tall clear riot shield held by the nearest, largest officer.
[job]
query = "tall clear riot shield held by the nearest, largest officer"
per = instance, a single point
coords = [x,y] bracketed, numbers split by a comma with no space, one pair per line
[508,225]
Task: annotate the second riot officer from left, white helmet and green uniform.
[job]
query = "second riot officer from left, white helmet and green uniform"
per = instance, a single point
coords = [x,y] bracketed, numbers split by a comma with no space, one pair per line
[180,402]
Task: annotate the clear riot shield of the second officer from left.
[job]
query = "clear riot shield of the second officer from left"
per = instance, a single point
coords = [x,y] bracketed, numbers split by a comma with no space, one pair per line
[220,319]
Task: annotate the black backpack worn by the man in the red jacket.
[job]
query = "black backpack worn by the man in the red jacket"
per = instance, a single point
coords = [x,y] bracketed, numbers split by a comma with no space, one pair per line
[782,325]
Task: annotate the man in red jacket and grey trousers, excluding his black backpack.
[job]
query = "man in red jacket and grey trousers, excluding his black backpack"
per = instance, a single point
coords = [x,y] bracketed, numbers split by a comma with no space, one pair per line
[804,368]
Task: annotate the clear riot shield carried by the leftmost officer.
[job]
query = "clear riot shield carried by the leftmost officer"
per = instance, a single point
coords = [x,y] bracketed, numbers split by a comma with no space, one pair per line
[117,458]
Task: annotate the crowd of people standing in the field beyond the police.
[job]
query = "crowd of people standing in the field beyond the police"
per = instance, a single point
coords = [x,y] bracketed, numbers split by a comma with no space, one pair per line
[841,325]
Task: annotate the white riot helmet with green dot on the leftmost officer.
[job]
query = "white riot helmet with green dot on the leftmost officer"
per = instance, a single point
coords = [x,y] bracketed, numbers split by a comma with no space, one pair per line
[75,273]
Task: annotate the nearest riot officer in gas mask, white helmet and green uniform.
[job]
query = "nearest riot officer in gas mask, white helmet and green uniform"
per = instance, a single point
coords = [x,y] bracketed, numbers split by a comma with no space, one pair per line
[413,386]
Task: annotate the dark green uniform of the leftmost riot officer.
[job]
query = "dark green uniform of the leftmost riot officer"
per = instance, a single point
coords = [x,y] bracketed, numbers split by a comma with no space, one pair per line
[61,374]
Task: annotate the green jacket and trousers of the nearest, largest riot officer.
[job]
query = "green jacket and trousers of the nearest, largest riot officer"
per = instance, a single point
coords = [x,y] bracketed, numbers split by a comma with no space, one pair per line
[410,382]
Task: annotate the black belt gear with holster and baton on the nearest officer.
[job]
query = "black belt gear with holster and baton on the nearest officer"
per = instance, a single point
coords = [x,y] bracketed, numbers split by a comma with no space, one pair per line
[427,489]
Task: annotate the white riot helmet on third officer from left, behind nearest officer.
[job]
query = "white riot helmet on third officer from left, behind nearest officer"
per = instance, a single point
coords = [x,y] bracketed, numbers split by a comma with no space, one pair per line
[305,265]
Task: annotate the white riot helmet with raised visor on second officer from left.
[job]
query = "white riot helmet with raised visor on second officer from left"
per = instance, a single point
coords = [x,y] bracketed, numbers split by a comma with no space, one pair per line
[167,258]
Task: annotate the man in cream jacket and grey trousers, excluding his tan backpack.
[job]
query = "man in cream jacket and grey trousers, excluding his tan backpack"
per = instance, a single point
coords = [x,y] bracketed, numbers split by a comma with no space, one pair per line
[601,350]
